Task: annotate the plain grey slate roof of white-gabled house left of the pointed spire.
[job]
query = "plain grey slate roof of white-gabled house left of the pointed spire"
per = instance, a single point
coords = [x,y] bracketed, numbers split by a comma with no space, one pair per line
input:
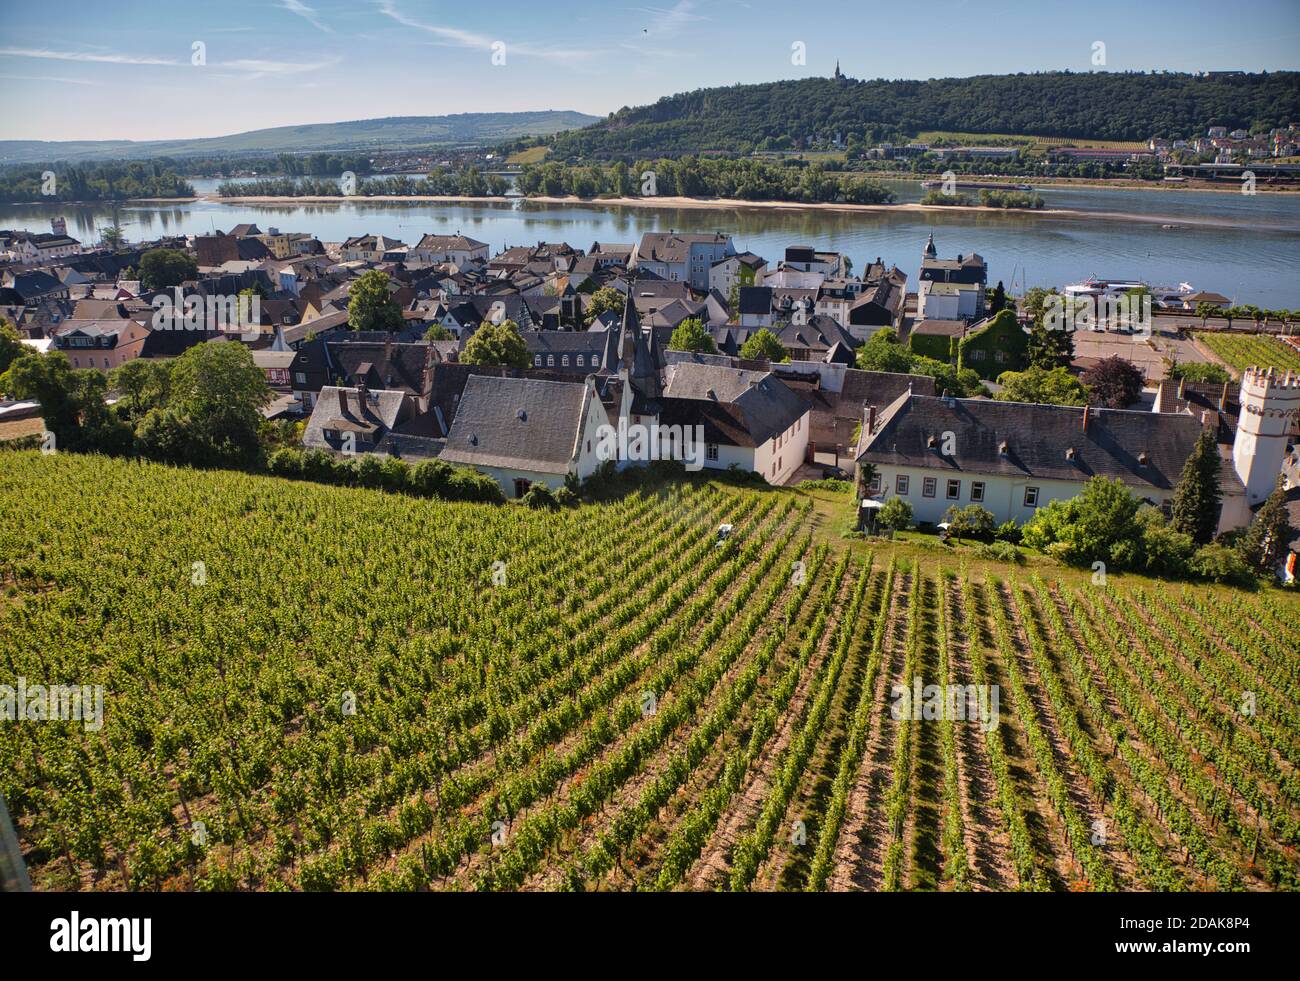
[519,424]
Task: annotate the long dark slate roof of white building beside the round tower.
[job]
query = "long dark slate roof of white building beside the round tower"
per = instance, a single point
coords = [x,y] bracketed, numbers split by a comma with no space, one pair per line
[1037,441]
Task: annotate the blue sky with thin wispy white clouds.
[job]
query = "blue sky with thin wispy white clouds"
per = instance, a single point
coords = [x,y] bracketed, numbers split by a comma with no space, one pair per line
[88,70]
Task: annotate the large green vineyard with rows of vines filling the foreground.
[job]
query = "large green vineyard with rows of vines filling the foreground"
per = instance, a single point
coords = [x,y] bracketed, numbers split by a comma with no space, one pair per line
[314,688]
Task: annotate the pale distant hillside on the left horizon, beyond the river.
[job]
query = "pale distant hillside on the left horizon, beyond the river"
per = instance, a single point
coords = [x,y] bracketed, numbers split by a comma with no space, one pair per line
[393,133]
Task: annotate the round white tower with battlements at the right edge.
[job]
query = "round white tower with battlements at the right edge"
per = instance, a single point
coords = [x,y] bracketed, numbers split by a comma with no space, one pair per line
[1271,405]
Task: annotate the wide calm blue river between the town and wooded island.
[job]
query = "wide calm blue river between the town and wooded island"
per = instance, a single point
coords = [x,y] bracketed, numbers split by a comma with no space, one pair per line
[1251,257]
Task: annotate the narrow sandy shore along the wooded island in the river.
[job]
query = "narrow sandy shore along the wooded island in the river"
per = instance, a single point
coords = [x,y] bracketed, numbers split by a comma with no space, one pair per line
[738,205]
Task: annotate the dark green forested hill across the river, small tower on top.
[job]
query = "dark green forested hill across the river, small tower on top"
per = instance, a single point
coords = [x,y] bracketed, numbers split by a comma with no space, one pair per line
[1097,106]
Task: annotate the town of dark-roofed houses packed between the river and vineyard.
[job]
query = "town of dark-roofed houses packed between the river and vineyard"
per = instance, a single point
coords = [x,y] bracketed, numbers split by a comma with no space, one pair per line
[599,325]
